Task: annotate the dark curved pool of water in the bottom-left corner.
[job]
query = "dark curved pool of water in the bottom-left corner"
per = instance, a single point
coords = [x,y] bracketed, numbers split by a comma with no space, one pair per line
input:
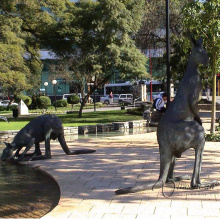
[25,192]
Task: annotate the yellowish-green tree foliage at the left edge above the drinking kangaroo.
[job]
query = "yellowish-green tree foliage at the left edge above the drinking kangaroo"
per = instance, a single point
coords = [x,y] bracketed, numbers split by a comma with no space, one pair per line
[25,26]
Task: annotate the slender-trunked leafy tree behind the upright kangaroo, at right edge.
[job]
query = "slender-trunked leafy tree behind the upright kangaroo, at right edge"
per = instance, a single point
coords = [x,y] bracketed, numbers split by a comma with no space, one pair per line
[202,18]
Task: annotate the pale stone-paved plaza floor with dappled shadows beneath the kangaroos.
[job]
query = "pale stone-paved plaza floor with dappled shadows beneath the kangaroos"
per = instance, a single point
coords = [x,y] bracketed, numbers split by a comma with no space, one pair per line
[88,182]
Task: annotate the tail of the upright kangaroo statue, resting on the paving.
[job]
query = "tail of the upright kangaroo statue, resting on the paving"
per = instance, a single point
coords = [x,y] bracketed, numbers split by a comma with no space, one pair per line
[149,186]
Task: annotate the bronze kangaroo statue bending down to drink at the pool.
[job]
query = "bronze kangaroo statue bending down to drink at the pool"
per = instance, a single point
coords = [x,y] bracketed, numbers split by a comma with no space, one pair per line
[42,128]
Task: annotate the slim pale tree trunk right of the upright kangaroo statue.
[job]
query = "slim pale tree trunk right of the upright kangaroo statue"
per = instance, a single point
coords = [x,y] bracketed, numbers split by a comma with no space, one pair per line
[213,95]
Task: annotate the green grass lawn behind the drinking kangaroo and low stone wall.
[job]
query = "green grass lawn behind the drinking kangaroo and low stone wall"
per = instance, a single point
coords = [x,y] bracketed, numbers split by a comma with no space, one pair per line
[89,118]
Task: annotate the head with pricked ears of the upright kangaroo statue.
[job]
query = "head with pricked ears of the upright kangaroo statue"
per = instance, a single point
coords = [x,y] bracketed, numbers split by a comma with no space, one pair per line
[199,54]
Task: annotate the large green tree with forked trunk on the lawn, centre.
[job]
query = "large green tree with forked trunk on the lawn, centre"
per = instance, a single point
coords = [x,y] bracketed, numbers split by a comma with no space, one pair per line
[102,45]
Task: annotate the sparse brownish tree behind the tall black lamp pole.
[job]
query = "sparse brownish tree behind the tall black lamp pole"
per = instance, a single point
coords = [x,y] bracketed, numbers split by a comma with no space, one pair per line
[151,35]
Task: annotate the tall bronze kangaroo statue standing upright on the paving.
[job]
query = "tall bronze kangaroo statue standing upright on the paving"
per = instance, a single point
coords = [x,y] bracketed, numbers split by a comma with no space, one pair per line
[180,128]
